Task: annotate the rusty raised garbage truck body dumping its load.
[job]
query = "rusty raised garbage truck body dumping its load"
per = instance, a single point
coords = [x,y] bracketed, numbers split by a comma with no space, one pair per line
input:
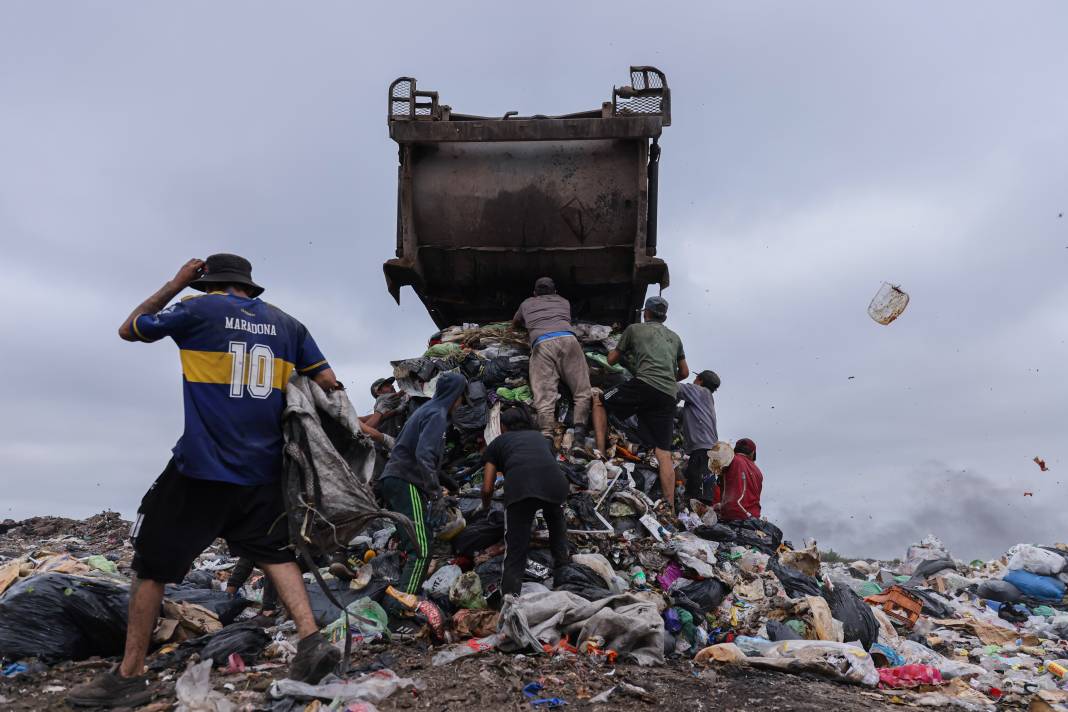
[486,205]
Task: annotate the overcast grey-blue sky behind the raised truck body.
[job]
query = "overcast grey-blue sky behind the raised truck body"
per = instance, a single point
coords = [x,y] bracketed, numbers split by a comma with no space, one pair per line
[819,149]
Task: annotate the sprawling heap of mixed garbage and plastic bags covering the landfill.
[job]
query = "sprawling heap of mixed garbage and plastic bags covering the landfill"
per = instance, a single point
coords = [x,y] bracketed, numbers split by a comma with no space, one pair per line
[653,607]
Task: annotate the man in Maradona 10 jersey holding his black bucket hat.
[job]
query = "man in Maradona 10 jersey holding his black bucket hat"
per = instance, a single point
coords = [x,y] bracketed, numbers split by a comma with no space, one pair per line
[224,481]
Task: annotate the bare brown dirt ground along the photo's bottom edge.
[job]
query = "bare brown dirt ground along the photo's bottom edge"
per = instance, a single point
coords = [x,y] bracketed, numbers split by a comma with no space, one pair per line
[496,682]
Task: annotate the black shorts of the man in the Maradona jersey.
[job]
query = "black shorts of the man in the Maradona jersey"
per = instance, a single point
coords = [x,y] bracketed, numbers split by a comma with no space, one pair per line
[180,517]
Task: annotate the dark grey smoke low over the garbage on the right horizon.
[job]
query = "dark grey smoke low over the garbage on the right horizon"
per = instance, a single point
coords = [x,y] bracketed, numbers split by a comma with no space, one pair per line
[977,516]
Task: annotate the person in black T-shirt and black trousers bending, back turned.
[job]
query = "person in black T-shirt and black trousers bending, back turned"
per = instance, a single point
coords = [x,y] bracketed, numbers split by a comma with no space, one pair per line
[532,482]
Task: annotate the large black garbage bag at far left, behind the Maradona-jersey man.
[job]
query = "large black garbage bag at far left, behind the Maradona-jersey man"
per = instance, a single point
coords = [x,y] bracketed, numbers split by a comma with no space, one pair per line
[59,616]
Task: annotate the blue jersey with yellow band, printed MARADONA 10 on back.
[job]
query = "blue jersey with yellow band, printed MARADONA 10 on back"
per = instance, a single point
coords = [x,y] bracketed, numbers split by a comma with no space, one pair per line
[238,356]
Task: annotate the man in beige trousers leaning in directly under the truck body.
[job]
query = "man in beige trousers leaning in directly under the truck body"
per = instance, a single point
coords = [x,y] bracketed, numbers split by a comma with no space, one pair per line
[556,355]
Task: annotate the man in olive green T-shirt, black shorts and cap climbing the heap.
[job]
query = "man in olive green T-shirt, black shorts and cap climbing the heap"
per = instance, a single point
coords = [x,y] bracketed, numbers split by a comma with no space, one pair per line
[654,354]
